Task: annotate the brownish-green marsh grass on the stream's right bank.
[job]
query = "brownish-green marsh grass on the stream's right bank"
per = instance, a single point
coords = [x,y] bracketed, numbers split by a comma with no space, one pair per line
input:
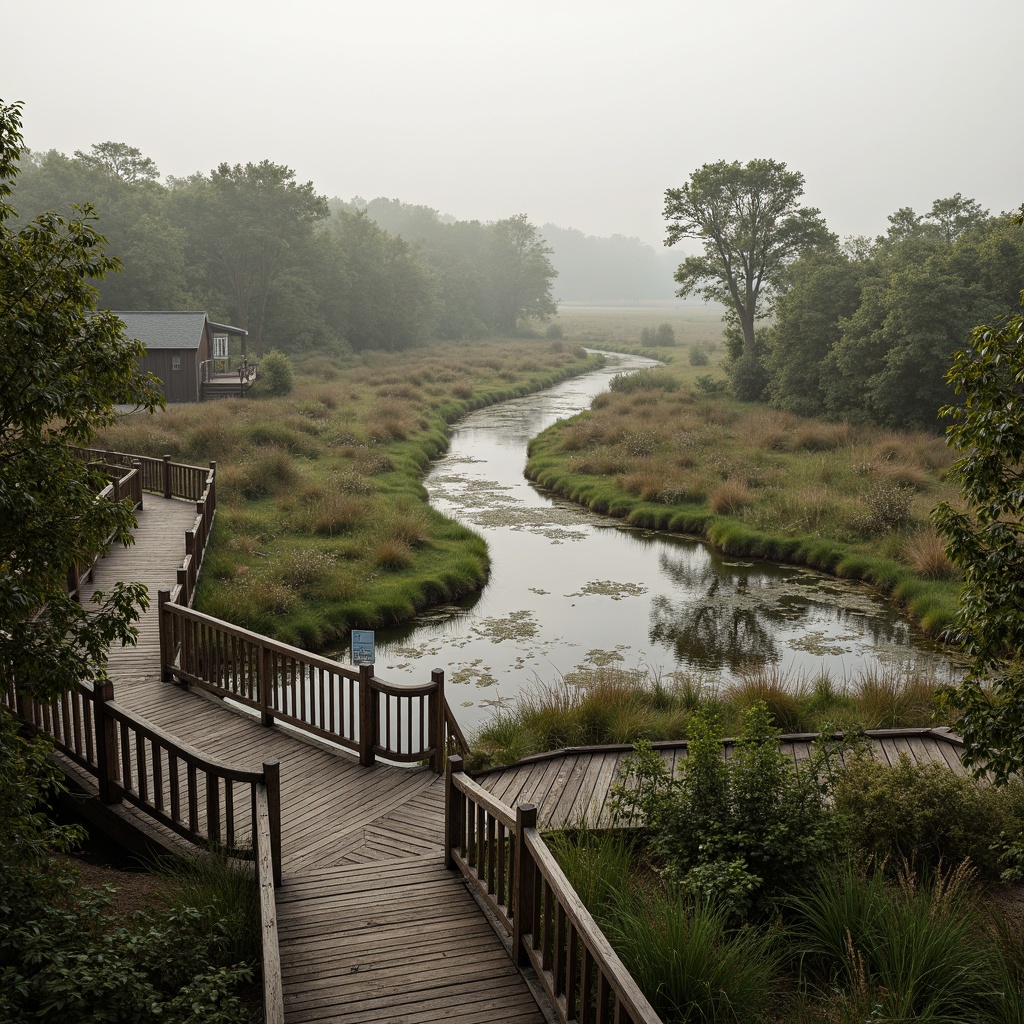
[854,500]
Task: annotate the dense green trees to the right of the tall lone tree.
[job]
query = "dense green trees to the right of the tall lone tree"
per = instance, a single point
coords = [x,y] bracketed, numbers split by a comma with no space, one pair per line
[869,330]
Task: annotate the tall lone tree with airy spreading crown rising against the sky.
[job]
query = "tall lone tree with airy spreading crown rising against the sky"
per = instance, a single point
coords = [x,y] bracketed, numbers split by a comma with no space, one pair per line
[753,228]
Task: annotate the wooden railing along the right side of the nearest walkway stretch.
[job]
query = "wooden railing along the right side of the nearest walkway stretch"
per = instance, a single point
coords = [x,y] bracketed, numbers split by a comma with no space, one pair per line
[504,858]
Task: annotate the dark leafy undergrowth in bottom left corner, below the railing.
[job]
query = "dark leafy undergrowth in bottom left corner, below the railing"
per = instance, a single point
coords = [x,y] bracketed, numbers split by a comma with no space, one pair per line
[63,959]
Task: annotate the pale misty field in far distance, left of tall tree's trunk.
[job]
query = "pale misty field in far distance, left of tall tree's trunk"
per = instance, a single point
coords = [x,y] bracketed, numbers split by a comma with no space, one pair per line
[693,322]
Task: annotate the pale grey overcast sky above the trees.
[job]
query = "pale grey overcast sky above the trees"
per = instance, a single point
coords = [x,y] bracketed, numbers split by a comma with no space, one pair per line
[576,112]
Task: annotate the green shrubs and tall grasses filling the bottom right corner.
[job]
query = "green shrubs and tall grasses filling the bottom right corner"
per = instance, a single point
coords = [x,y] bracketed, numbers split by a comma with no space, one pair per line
[835,935]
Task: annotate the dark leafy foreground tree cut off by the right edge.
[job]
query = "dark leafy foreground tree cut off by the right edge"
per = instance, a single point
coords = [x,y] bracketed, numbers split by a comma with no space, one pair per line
[987,541]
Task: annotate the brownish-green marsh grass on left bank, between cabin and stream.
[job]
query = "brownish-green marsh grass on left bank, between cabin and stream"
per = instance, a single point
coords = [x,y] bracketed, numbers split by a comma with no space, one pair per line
[335,467]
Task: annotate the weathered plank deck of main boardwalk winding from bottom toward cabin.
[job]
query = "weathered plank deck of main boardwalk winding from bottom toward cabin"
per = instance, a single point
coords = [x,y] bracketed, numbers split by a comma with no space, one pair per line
[372,926]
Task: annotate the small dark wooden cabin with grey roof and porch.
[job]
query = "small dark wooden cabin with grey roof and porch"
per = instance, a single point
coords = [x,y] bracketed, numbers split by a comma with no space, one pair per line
[194,358]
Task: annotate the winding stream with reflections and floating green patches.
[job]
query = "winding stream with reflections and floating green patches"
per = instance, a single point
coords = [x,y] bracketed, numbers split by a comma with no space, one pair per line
[573,589]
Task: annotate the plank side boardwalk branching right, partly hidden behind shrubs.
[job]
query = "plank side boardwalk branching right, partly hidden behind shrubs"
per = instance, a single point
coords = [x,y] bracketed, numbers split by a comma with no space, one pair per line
[573,788]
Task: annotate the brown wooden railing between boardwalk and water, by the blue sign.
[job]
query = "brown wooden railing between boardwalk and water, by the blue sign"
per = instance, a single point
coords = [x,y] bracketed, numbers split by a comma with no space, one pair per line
[344,705]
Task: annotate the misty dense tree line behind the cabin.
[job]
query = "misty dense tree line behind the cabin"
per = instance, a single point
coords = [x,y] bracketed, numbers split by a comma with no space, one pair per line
[257,248]
